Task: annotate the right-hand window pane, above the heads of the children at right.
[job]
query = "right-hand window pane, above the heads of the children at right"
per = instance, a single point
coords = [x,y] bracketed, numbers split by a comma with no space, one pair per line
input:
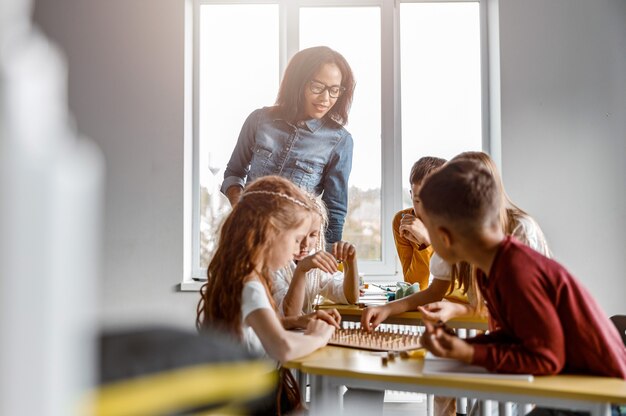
[440,70]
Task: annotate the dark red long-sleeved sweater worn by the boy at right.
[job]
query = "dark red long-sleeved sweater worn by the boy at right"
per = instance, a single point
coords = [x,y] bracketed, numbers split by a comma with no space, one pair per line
[546,322]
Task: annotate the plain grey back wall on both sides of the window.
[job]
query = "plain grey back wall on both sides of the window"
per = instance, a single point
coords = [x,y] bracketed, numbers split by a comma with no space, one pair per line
[563,127]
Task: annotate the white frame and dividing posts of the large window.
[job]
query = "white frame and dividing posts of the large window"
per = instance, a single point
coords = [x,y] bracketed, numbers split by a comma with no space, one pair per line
[391,136]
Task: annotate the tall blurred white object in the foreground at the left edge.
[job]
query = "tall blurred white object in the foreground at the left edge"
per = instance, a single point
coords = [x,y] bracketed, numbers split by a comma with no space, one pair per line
[50,209]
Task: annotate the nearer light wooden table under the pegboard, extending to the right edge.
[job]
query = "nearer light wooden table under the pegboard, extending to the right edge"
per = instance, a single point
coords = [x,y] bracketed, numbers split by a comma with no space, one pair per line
[332,367]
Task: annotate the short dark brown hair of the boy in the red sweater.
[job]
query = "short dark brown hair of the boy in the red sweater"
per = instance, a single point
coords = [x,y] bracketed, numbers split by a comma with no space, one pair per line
[464,194]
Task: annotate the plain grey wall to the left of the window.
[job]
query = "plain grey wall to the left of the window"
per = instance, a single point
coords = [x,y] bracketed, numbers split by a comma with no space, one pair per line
[126,92]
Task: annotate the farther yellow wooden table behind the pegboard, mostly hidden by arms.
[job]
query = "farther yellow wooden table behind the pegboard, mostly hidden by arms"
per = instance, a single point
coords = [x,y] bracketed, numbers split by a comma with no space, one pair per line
[352,313]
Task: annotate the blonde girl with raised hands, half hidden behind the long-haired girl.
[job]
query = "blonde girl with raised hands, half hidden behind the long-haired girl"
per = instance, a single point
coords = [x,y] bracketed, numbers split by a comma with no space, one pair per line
[298,286]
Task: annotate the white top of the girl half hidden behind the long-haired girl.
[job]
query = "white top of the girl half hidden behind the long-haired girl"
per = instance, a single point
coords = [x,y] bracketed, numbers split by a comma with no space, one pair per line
[329,286]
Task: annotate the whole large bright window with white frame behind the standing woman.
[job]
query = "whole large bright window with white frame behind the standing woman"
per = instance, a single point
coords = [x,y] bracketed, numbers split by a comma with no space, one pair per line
[418,67]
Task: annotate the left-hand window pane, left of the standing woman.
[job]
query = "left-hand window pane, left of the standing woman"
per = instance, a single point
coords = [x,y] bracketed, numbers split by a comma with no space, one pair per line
[228,90]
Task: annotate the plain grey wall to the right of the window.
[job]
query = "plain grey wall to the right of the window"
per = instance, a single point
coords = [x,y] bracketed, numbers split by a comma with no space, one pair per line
[563,74]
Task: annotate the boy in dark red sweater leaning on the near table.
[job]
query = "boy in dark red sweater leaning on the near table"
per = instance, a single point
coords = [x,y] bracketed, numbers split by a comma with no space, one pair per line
[543,320]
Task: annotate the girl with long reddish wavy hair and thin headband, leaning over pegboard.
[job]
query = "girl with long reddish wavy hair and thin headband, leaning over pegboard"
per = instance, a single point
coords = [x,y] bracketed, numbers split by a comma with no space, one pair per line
[262,234]
